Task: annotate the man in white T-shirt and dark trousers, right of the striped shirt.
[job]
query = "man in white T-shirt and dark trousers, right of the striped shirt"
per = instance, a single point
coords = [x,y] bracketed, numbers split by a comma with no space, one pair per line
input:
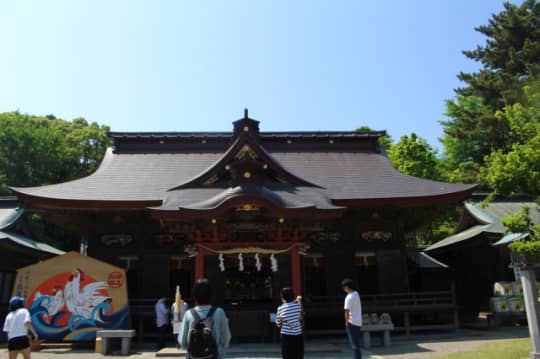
[353,316]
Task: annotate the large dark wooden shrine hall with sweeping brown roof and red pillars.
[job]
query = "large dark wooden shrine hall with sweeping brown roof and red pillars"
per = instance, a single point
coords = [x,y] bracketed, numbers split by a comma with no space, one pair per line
[252,211]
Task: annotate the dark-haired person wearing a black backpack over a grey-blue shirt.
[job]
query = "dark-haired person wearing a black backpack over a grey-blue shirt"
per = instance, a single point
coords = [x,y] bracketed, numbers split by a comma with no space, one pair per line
[204,332]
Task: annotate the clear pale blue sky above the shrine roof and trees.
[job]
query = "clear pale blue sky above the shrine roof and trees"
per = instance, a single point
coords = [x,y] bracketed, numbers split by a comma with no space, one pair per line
[194,65]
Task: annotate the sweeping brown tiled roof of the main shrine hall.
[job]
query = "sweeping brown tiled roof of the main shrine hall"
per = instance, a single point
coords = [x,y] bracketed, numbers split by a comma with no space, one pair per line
[344,168]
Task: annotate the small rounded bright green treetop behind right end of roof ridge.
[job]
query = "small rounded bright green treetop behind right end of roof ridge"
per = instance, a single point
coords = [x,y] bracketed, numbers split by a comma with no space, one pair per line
[413,156]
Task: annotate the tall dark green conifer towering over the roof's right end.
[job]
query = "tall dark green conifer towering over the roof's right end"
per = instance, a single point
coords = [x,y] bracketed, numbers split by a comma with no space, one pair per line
[509,61]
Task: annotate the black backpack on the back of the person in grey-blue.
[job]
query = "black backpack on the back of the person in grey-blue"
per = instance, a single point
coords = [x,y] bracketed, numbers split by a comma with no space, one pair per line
[201,341]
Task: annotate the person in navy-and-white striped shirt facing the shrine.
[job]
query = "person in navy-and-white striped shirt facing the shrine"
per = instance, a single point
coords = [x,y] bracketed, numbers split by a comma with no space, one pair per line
[289,318]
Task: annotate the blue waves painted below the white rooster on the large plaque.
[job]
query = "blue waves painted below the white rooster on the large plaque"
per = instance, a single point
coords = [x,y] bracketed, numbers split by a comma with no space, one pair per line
[77,327]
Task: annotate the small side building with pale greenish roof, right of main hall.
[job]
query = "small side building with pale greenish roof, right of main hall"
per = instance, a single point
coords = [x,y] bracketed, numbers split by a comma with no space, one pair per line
[472,254]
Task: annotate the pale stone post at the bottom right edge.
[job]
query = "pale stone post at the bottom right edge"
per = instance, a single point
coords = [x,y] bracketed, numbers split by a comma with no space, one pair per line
[528,280]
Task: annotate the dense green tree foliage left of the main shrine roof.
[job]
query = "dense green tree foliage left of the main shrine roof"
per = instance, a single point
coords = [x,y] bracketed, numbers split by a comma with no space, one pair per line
[38,150]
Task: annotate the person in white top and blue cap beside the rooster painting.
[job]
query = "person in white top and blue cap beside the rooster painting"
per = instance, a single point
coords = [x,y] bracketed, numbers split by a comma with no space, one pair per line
[16,325]
